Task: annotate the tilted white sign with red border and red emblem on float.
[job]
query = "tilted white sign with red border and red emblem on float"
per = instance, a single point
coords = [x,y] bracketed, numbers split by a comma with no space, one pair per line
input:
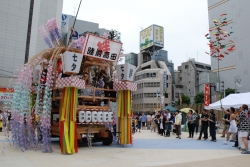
[101,48]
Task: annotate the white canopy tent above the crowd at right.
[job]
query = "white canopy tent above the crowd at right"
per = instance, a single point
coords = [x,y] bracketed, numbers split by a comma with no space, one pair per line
[232,100]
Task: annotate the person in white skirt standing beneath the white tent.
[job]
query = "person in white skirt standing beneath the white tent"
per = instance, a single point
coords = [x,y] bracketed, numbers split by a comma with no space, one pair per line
[232,128]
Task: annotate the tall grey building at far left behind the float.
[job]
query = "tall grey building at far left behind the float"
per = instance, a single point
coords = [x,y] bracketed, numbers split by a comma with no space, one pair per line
[20,38]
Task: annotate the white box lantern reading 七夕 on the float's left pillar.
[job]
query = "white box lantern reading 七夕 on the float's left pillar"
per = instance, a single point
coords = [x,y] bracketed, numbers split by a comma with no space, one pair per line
[71,62]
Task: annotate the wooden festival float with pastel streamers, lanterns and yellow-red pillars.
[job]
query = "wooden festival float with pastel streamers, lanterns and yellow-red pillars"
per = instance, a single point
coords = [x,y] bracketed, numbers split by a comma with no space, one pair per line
[76,92]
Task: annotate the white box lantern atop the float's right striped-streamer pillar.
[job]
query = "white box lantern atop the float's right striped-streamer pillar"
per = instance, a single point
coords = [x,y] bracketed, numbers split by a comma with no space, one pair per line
[125,72]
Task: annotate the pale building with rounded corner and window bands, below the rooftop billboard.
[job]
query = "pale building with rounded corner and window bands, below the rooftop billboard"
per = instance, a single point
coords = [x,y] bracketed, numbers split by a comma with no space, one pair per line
[152,77]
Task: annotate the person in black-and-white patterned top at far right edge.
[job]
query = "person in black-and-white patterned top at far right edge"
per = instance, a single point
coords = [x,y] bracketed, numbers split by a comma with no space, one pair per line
[244,127]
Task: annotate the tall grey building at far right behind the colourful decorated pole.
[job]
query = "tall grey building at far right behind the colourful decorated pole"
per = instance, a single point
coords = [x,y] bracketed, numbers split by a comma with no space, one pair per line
[234,68]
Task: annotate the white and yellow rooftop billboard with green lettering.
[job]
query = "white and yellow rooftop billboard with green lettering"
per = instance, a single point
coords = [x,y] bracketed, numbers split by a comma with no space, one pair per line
[152,36]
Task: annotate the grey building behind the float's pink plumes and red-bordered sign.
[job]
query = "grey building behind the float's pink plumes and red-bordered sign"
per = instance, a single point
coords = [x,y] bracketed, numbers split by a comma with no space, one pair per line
[81,26]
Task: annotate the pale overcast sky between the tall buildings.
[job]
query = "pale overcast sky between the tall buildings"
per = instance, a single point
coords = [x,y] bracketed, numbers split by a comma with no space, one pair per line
[185,23]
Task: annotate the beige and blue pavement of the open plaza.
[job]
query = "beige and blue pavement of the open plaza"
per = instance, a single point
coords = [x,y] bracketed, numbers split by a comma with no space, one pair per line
[148,149]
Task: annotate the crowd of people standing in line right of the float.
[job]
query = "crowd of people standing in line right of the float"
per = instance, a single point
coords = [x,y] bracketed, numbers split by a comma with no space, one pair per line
[236,123]
